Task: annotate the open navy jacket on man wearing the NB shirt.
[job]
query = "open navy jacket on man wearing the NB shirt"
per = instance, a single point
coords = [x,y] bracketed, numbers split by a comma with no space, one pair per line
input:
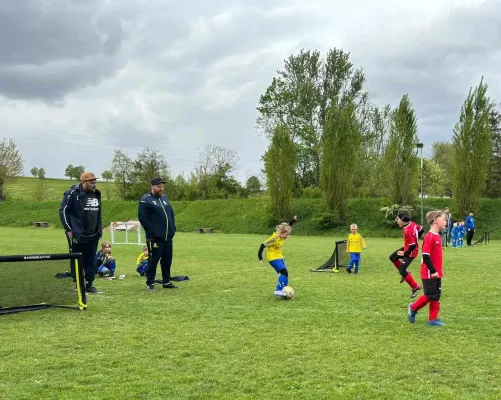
[72,208]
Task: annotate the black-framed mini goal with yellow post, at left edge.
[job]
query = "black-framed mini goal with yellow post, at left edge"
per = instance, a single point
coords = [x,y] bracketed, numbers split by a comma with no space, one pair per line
[38,281]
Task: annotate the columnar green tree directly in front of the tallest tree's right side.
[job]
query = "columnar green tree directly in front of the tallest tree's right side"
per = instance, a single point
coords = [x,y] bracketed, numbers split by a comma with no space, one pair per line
[341,147]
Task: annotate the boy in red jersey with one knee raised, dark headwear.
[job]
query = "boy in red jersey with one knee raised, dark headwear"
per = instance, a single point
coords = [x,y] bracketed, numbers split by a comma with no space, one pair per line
[402,257]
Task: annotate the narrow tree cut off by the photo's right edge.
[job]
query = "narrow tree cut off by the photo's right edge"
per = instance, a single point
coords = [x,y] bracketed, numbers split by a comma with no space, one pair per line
[493,183]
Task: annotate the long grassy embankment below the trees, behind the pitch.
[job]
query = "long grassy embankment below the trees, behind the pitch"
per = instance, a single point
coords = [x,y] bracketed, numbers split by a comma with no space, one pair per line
[248,215]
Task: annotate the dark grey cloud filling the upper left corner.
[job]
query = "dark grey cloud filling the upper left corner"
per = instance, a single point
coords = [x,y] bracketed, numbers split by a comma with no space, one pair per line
[54,48]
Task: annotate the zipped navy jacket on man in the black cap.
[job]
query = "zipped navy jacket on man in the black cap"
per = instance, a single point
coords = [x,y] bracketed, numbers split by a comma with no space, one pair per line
[156,217]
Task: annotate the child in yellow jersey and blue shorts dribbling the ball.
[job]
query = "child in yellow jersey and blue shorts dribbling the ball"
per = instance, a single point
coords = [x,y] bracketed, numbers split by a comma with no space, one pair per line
[274,254]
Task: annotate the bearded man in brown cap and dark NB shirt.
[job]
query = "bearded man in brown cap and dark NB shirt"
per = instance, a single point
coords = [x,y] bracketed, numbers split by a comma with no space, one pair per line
[80,215]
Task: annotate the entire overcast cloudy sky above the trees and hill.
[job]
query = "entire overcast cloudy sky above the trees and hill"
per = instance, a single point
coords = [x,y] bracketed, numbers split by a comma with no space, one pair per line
[80,78]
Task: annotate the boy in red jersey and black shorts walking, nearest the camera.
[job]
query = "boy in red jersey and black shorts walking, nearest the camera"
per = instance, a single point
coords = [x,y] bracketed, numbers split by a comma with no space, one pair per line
[431,270]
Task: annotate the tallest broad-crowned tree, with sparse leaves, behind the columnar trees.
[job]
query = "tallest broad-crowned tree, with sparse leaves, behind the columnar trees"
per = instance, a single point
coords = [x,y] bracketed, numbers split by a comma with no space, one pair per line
[300,97]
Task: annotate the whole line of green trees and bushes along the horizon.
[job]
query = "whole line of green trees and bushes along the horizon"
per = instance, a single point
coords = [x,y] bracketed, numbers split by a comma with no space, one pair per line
[326,140]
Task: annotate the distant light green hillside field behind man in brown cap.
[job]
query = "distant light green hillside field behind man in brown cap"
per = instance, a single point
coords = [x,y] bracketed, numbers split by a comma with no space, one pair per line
[25,188]
